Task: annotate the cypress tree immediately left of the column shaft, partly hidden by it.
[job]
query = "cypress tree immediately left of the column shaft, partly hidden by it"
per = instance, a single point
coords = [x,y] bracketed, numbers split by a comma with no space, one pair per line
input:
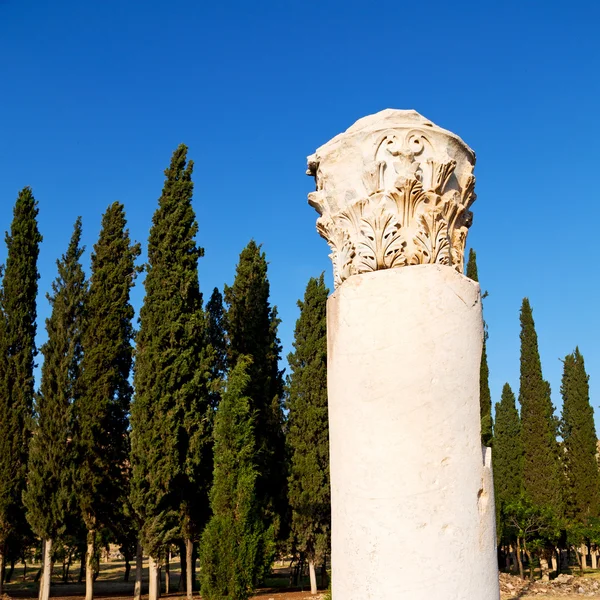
[308,429]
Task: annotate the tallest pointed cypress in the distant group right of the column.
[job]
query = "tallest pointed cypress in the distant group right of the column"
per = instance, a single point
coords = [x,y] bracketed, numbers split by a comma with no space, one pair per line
[542,479]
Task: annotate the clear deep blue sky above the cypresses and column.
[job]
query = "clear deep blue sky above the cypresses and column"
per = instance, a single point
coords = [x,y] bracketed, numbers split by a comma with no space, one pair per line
[97,94]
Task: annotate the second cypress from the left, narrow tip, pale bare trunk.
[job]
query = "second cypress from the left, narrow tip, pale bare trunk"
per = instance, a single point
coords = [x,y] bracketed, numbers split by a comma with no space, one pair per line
[49,494]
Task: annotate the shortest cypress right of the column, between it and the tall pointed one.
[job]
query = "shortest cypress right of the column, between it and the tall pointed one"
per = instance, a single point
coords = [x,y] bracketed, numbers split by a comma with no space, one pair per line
[508,454]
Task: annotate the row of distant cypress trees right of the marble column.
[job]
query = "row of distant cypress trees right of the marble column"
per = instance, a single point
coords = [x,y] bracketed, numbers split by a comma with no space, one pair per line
[546,473]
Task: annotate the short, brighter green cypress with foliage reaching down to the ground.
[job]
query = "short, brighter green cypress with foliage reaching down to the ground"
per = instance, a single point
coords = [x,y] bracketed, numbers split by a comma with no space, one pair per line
[232,548]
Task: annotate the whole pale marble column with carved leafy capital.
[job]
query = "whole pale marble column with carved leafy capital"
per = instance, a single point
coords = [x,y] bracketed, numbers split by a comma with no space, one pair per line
[411,485]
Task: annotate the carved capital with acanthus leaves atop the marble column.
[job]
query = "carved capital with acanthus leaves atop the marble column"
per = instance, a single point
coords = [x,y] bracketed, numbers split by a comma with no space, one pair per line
[394,190]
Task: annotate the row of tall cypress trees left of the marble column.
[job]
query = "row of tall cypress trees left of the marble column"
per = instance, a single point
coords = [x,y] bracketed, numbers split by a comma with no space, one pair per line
[193,448]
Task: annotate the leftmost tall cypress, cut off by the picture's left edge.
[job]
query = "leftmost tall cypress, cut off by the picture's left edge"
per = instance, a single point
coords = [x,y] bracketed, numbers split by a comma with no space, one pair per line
[17,335]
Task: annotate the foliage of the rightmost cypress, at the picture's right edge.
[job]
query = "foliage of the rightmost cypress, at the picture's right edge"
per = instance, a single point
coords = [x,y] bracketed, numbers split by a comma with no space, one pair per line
[579,438]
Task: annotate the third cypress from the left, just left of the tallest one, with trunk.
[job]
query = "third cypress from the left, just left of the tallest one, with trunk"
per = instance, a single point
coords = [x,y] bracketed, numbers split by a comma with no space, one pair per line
[102,407]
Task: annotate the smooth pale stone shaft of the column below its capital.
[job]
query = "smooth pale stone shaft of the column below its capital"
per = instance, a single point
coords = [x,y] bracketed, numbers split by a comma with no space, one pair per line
[411,488]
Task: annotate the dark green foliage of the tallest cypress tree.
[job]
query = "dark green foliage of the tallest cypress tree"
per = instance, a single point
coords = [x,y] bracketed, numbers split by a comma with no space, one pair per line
[171,413]
